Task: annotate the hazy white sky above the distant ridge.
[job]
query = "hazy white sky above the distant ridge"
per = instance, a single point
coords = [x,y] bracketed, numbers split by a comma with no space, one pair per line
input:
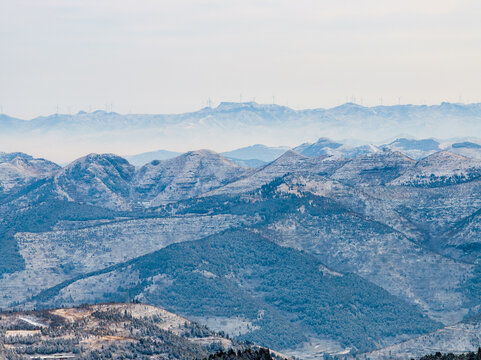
[162,56]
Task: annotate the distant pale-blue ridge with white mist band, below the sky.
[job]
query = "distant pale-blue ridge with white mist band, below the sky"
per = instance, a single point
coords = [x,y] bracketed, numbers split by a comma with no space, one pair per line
[230,126]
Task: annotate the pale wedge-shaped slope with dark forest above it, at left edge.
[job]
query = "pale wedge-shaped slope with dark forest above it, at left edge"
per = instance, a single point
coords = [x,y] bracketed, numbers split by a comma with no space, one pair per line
[56,241]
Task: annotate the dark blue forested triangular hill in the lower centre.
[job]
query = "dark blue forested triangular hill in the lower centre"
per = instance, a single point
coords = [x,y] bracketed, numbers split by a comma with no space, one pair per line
[247,280]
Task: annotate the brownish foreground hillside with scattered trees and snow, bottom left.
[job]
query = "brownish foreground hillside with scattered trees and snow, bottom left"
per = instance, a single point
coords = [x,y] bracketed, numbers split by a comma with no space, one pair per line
[106,331]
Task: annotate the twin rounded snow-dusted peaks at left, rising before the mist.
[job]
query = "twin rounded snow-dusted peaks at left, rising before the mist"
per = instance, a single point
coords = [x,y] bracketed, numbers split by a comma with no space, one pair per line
[110,181]
